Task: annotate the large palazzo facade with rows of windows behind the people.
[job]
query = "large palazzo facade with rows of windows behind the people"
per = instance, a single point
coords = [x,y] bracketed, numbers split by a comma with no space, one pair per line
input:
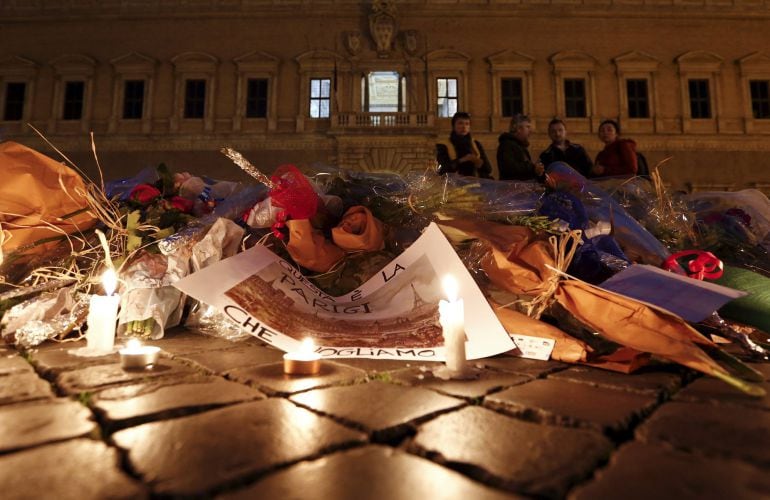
[371,85]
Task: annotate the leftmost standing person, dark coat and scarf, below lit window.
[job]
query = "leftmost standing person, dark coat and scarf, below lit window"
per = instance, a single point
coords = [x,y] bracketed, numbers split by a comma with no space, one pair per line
[461,153]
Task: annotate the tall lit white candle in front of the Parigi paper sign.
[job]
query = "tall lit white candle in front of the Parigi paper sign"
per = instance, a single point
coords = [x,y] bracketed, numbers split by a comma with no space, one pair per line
[452,319]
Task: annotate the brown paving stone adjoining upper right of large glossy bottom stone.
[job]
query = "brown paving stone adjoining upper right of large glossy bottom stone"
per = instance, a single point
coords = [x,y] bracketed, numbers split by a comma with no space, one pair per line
[573,404]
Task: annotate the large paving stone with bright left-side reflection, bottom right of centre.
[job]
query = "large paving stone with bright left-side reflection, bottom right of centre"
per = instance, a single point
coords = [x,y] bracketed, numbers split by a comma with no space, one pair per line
[537,460]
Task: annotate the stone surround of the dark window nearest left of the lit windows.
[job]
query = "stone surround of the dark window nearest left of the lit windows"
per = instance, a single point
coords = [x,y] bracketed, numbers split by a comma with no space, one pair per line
[257,64]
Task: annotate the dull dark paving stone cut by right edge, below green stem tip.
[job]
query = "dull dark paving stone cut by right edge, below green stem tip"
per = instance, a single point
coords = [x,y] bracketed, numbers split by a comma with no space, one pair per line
[723,430]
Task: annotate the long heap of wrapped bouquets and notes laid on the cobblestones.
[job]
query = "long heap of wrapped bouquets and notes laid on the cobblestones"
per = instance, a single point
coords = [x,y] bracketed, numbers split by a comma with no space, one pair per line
[574,263]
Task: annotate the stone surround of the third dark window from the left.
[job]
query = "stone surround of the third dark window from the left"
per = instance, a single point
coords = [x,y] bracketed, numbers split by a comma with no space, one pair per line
[132,66]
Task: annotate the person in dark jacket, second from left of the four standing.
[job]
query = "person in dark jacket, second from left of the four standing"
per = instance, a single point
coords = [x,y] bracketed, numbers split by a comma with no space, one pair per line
[513,159]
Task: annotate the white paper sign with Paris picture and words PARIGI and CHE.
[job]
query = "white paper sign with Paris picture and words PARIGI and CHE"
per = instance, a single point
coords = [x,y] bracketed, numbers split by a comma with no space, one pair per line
[394,315]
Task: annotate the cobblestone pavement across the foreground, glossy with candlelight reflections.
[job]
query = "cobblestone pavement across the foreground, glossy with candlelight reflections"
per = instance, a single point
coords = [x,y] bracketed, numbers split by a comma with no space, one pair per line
[219,419]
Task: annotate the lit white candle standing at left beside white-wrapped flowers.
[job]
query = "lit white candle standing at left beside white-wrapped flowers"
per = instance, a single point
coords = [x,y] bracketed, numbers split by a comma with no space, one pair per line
[103,315]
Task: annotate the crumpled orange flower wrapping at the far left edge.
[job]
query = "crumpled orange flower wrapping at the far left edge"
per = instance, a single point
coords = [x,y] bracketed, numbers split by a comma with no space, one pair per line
[35,193]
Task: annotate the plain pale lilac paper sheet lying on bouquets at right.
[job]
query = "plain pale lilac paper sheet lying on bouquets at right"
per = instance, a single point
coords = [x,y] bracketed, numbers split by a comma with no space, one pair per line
[692,300]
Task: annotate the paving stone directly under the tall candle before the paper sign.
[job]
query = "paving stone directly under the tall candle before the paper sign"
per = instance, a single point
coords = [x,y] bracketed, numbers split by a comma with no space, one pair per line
[487,381]
